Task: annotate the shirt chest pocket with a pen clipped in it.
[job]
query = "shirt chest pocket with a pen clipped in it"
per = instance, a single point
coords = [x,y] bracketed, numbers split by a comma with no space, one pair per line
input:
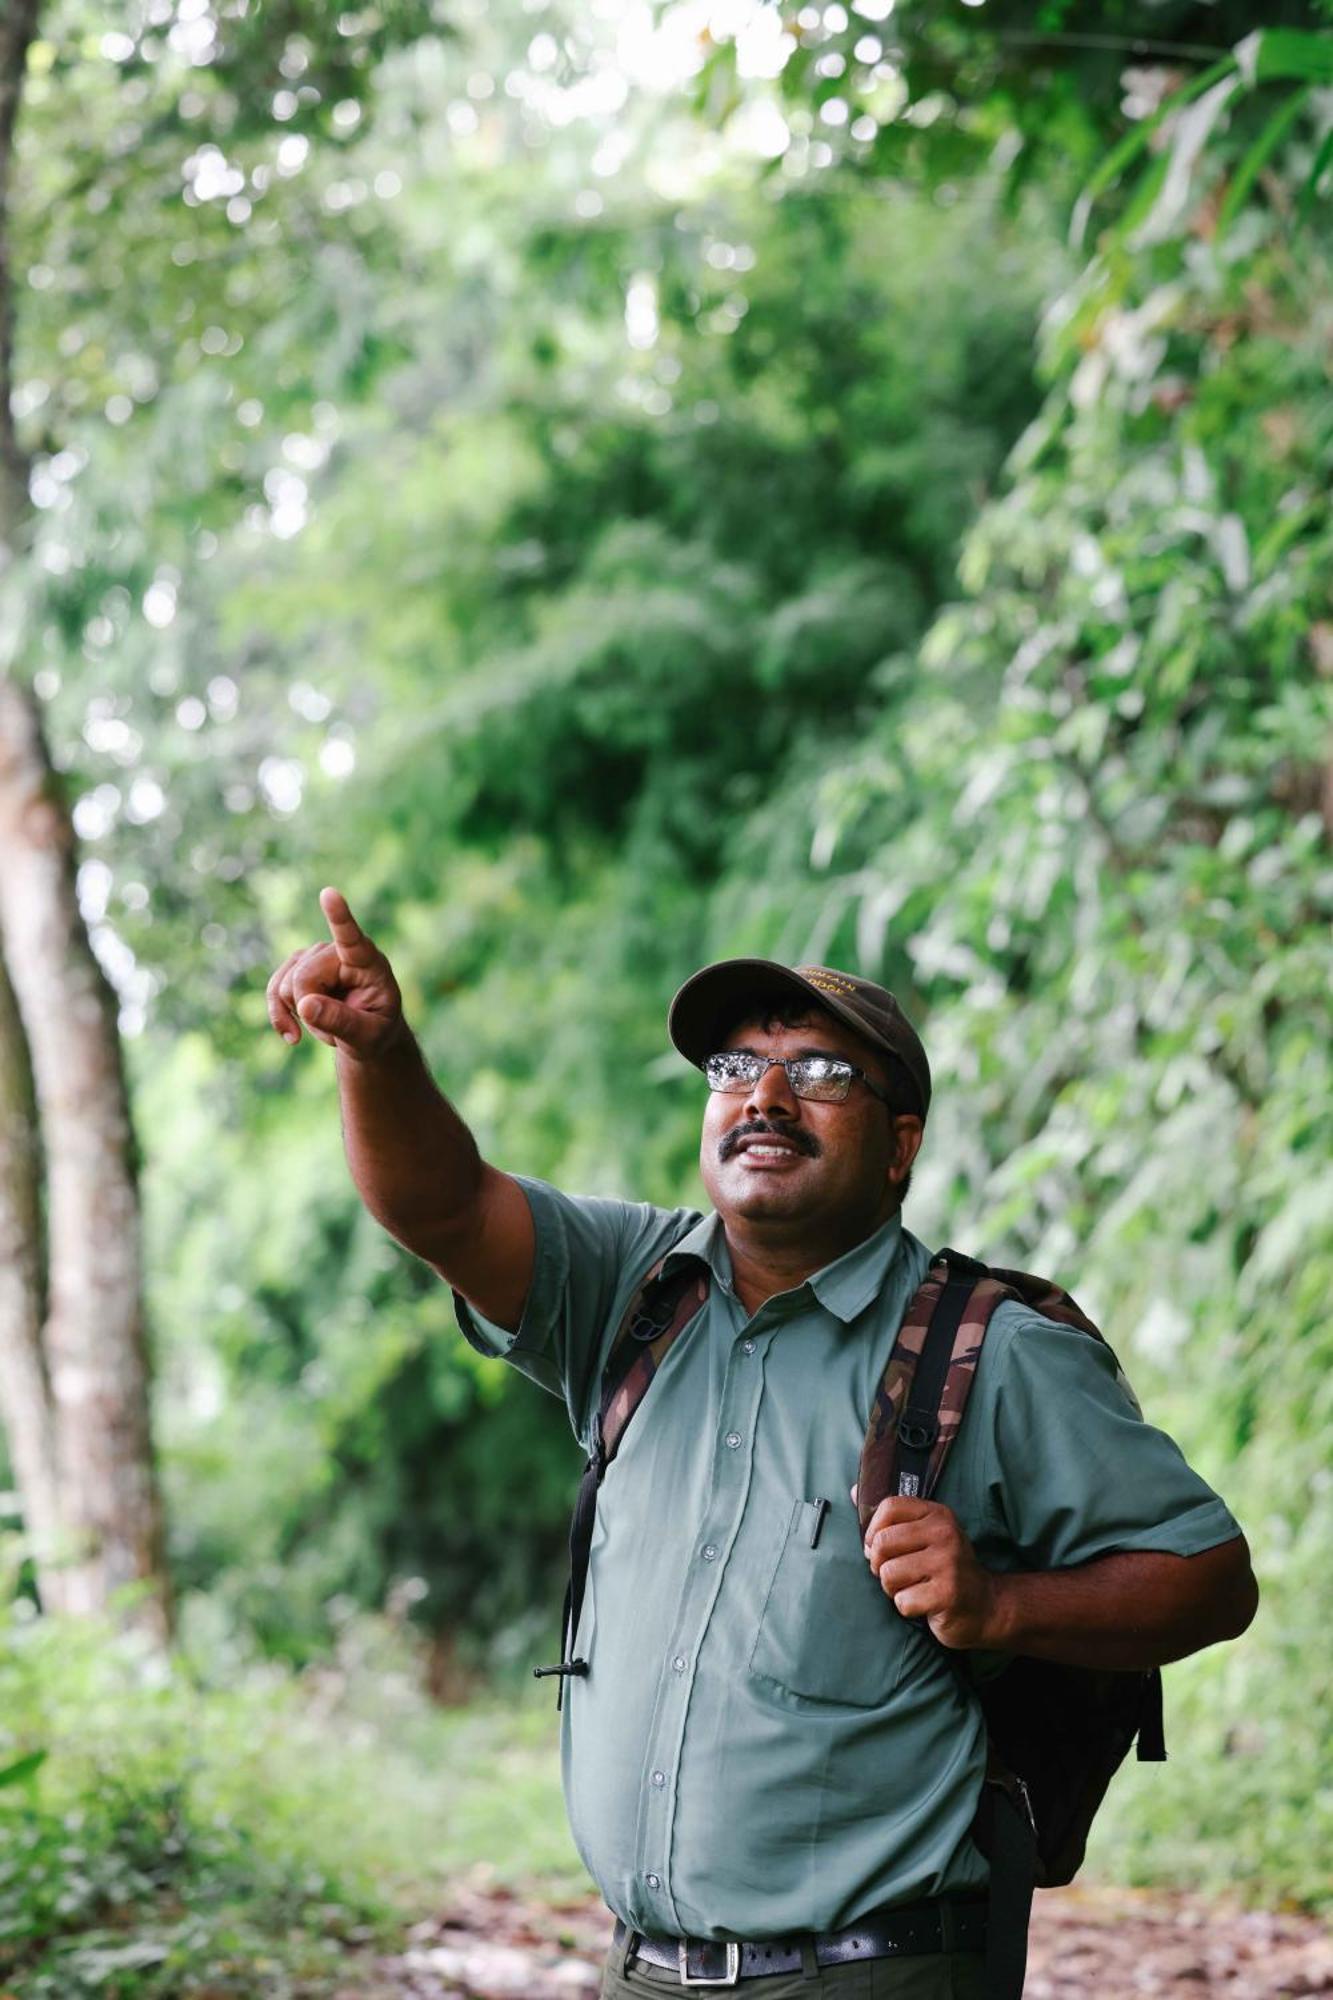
[828,1631]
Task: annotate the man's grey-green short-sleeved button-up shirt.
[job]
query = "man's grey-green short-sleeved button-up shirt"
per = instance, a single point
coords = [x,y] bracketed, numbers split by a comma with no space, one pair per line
[764,1745]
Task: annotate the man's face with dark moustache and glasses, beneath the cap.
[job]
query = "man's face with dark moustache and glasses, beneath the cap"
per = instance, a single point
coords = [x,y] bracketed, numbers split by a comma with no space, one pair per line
[774,1157]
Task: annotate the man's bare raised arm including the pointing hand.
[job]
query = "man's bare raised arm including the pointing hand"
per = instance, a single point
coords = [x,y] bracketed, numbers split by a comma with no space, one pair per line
[413,1159]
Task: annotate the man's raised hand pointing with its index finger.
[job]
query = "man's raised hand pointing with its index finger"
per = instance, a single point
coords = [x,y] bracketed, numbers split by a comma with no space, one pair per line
[345,991]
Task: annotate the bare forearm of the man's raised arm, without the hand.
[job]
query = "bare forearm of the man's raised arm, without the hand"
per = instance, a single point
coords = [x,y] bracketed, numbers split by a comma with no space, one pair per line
[413,1159]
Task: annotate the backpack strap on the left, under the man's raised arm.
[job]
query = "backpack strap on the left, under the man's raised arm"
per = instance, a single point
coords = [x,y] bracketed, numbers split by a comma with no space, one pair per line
[653,1321]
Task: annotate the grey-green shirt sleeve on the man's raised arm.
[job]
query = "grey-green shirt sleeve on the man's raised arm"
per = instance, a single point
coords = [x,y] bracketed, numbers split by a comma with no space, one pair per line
[591,1255]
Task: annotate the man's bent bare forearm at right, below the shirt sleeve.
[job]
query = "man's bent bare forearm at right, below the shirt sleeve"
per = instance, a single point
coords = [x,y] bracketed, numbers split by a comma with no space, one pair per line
[1128,1611]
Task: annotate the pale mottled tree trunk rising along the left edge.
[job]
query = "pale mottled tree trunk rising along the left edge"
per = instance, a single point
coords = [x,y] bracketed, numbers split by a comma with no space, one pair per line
[73,1353]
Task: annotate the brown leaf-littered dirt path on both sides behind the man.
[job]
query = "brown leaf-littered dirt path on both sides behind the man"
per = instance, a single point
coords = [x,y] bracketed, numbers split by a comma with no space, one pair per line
[1088,1945]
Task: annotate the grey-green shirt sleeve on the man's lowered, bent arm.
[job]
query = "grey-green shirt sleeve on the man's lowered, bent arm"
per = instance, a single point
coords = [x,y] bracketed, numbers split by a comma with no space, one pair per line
[1070,1467]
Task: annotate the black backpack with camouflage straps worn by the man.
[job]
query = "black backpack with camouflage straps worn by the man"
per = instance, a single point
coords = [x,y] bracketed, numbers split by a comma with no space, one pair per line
[1056,1733]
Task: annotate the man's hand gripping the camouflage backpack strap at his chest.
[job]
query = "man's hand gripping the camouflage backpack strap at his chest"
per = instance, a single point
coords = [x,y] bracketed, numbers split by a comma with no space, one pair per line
[930,1571]
